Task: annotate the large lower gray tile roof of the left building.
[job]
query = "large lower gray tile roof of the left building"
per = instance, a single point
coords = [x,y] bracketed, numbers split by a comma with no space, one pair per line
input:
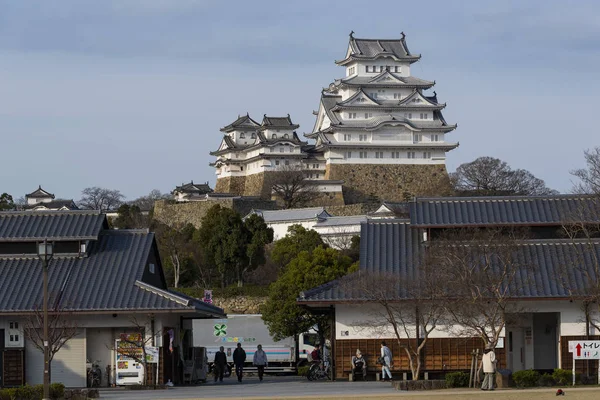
[108,279]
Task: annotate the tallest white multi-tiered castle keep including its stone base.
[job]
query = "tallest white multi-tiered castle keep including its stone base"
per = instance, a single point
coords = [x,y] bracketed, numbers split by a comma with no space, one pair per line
[377,129]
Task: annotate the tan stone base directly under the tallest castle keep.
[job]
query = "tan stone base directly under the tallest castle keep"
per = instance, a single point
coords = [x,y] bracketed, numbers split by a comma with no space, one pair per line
[400,182]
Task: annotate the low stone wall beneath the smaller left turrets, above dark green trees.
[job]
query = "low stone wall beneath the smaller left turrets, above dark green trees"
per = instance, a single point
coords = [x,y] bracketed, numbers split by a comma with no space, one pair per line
[192,212]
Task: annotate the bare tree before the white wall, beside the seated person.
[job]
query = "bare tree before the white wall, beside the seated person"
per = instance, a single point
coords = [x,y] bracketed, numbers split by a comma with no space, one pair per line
[412,308]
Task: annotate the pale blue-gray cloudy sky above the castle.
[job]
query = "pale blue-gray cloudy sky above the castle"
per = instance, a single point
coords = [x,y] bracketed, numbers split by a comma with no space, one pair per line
[131,94]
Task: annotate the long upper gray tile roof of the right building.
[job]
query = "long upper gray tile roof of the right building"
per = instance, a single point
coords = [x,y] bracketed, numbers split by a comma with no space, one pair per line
[499,210]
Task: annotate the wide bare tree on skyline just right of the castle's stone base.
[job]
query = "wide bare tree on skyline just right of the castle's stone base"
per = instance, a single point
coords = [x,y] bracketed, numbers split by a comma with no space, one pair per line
[488,176]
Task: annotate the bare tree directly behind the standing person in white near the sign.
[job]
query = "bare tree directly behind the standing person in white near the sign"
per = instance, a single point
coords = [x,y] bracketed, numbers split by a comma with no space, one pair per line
[484,273]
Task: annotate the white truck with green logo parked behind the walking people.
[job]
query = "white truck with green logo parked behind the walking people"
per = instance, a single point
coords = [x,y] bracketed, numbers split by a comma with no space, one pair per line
[250,330]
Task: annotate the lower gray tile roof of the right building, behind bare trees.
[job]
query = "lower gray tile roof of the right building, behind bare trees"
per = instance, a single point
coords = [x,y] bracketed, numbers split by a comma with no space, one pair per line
[391,246]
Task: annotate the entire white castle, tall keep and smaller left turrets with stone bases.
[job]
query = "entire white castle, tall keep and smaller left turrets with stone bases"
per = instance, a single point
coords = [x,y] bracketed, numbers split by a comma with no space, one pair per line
[376,135]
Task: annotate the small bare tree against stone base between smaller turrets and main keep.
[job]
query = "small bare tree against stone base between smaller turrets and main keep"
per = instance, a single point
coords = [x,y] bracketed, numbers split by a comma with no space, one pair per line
[289,184]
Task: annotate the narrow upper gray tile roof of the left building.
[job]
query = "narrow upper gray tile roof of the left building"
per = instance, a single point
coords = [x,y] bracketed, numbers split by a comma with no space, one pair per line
[51,225]
